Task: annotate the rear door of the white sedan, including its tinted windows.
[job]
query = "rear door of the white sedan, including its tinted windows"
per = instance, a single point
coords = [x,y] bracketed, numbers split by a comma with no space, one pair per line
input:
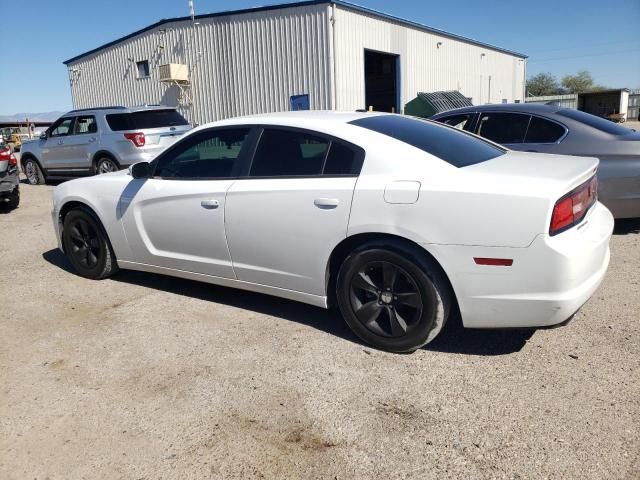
[284,219]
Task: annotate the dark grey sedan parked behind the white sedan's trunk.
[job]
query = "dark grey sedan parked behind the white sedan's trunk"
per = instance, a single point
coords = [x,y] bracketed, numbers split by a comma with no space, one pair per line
[557,130]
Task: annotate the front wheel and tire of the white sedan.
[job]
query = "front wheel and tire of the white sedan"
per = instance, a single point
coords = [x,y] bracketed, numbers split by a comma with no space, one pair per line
[87,246]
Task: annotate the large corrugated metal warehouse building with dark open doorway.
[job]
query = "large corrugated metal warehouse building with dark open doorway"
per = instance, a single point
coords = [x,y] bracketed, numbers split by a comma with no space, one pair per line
[313,54]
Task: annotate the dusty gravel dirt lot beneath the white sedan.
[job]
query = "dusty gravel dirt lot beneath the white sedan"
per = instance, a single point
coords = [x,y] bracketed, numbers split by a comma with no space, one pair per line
[146,377]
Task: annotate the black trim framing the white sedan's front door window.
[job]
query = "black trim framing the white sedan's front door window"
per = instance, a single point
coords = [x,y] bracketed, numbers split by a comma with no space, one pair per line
[192,140]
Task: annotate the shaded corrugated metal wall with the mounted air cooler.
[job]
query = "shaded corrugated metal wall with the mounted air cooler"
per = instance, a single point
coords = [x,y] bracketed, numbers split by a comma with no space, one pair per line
[241,64]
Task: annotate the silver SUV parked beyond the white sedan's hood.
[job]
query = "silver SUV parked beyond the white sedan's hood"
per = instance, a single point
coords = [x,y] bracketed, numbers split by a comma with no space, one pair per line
[100,140]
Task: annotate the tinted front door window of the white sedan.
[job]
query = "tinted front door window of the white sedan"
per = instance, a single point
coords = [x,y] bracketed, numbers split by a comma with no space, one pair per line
[209,154]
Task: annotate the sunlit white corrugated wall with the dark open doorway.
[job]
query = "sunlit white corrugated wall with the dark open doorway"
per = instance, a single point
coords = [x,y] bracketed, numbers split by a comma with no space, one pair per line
[455,65]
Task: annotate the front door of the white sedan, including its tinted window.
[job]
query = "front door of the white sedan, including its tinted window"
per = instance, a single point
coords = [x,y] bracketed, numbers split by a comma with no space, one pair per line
[176,219]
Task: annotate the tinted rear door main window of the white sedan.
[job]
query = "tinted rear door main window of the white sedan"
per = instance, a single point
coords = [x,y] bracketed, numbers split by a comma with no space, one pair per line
[288,153]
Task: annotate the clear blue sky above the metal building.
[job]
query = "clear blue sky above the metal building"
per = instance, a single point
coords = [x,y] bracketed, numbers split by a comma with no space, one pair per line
[561,37]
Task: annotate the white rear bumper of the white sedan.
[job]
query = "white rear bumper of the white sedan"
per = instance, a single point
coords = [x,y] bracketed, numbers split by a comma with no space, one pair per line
[548,282]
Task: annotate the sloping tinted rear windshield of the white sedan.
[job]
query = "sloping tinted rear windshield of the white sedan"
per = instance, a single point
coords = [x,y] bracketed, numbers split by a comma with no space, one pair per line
[449,144]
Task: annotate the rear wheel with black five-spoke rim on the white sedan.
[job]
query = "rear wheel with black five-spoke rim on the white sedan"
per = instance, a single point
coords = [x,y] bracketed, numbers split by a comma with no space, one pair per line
[393,298]
